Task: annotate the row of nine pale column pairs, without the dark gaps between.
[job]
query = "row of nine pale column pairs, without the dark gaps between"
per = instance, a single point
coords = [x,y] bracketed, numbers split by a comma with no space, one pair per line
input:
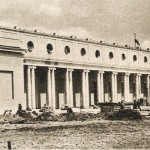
[85,98]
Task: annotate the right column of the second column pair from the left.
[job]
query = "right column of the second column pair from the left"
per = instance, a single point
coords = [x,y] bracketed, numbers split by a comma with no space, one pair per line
[53,89]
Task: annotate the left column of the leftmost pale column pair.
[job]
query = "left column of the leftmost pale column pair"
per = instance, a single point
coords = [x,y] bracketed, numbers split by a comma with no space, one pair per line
[29,87]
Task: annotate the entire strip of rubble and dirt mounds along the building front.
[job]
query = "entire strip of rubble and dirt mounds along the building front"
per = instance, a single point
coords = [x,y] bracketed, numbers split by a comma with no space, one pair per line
[68,114]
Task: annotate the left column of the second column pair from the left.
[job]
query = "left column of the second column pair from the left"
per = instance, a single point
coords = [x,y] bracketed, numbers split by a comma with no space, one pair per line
[49,87]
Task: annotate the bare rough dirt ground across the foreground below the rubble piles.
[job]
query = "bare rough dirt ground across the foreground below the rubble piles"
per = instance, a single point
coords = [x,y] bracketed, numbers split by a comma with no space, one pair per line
[97,134]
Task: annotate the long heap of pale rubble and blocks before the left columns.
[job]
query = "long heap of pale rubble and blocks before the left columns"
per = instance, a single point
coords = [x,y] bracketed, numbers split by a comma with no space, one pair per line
[48,114]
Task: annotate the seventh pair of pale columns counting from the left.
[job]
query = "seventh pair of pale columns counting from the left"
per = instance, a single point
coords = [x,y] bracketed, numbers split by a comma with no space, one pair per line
[126,87]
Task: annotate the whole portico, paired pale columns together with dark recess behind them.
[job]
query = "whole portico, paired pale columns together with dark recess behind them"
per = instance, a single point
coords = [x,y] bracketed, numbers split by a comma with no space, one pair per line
[83,87]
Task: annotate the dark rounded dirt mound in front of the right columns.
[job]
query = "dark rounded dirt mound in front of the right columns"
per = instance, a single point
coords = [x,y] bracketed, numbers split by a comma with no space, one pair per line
[125,115]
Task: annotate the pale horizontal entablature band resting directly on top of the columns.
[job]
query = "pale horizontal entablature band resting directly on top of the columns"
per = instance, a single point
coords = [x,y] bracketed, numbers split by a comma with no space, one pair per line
[81,66]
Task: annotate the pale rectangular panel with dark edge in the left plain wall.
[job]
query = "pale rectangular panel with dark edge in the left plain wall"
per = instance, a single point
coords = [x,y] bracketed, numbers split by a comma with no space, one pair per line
[6,85]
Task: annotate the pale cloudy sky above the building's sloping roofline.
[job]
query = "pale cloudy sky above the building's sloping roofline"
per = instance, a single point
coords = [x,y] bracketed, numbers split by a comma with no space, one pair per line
[107,20]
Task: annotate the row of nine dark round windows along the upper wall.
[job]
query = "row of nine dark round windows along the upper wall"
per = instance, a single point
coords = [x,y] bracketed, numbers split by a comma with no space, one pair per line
[49,47]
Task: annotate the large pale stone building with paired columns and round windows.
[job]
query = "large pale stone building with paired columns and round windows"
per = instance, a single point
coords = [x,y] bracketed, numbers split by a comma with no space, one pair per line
[38,68]
